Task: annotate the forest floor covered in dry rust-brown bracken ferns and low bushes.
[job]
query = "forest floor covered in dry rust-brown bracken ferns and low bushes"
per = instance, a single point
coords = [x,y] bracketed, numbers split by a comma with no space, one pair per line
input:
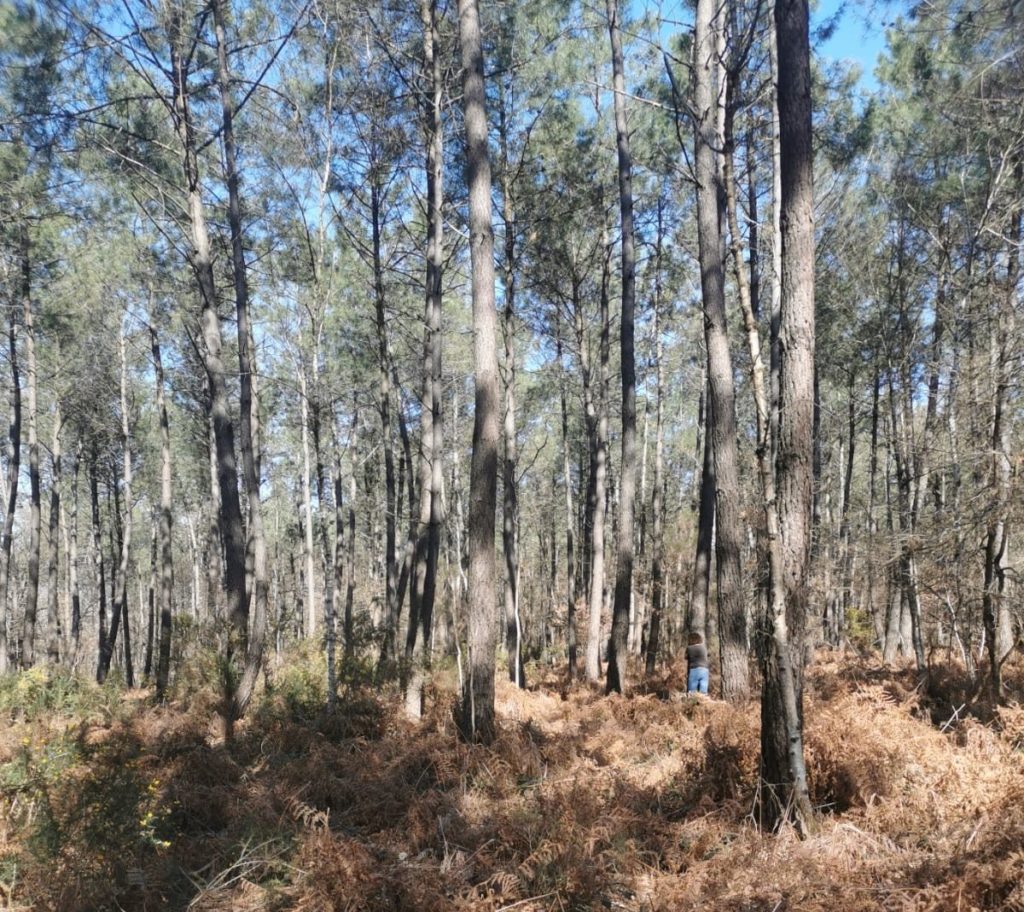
[644,803]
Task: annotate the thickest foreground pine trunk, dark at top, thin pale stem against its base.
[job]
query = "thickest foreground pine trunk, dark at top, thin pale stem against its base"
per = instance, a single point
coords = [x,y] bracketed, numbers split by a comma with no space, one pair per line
[782,704]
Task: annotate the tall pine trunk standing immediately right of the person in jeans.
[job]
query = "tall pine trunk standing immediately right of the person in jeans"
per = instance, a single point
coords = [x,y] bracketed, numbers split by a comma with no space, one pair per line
[722,424]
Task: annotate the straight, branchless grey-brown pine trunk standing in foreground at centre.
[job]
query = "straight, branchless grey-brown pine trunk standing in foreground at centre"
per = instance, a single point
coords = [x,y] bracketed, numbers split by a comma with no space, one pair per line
[479,701]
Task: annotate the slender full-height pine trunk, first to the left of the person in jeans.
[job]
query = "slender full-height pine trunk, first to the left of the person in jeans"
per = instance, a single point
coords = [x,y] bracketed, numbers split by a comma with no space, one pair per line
[618,656]
